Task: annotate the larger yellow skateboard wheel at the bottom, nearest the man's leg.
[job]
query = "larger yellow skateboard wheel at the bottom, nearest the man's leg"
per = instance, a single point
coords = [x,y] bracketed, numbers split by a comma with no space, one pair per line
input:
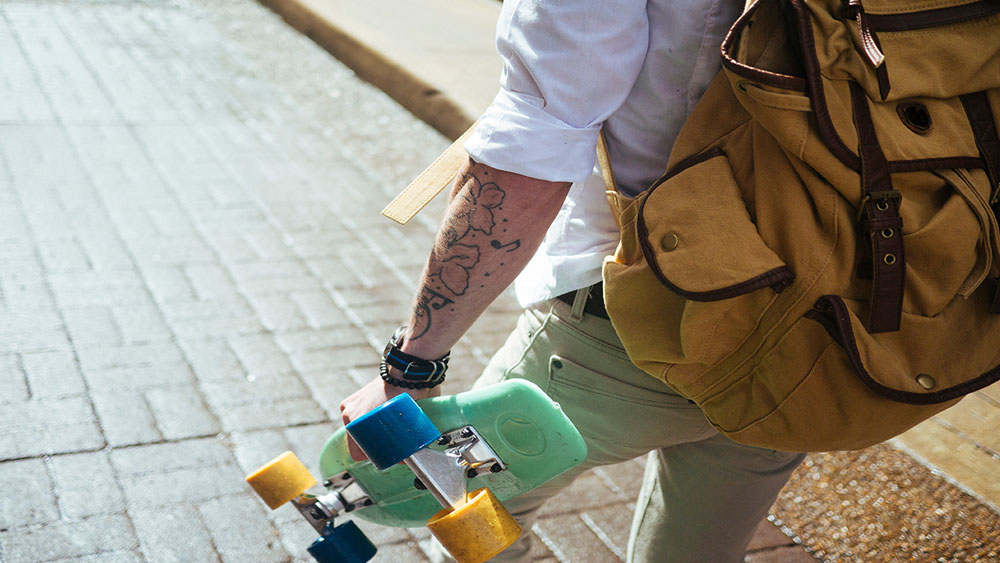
[478,530]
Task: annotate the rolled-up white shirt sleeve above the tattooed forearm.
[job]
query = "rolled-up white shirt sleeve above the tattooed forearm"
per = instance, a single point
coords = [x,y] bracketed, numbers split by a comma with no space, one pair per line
[567,66]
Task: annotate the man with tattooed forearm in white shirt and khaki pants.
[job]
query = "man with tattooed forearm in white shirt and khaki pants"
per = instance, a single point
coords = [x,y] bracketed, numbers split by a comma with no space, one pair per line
[636,68]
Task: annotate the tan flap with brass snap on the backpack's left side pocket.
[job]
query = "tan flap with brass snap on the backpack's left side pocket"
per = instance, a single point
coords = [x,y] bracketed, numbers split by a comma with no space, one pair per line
[698,237]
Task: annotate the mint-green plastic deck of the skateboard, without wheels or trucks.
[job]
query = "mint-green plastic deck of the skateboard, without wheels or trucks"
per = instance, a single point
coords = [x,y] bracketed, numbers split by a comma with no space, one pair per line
[532,439]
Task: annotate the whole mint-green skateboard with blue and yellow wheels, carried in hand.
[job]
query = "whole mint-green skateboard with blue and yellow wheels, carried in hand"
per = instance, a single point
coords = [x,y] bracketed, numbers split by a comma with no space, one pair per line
[423,458]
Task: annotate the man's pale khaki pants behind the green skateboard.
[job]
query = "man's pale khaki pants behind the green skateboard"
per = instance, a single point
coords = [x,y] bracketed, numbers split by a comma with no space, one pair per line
[702,494]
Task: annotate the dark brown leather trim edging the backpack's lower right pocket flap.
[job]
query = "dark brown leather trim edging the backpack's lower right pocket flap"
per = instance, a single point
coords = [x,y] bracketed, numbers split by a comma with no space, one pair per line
[831,312]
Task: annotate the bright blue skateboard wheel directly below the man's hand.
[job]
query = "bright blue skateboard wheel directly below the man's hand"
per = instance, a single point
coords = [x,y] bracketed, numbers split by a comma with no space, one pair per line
[393,432]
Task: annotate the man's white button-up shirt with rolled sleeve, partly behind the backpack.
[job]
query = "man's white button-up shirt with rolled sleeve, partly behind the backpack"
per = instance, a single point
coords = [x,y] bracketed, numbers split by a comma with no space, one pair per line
[636,67]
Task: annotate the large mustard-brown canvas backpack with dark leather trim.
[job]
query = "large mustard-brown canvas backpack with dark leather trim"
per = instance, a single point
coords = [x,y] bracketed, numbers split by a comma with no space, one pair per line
[818,267]
